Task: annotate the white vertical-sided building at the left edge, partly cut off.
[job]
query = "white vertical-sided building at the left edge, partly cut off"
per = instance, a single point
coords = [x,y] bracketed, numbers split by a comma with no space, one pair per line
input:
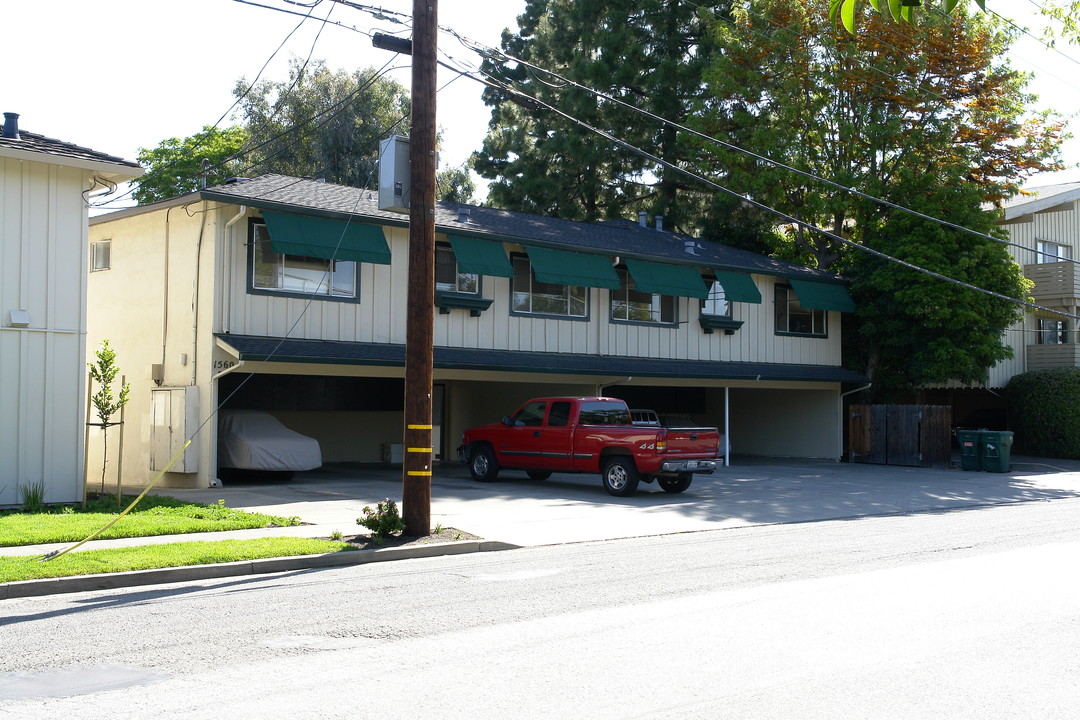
[44,259]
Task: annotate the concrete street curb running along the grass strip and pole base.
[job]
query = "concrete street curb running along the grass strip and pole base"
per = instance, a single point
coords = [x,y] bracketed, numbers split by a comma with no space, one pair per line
[25,589]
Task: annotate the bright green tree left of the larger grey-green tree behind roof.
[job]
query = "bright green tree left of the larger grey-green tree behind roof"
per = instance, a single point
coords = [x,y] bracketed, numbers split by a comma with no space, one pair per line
[177,167]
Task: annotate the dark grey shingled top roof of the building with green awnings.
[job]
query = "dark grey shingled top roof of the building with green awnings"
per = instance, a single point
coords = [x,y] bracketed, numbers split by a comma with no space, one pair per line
[626,239]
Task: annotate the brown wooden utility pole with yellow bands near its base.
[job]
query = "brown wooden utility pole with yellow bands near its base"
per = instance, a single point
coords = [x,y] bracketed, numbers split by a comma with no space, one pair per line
[417,458]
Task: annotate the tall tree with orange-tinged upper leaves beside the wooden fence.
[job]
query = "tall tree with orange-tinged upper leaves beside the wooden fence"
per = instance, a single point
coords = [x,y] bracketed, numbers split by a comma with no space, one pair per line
[928,118]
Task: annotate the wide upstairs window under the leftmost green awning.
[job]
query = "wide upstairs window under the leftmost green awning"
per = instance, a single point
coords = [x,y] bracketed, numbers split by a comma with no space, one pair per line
[277,273]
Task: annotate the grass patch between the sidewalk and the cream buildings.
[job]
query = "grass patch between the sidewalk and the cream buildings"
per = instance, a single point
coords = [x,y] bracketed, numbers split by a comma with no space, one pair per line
[156,515]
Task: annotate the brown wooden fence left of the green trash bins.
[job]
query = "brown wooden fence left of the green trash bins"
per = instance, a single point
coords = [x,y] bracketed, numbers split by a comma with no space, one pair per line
[915,436]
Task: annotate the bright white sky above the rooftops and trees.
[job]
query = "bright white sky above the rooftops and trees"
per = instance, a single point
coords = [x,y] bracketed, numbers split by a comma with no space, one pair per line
[119,75]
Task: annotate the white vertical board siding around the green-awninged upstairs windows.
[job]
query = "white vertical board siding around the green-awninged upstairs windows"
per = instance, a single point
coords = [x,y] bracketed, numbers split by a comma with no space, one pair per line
[380,317]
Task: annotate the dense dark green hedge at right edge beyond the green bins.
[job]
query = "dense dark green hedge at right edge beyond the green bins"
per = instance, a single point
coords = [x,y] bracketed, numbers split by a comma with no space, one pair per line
[1045,412]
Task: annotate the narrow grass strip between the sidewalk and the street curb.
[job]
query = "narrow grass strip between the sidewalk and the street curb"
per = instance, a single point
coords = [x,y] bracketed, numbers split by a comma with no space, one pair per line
[169,555]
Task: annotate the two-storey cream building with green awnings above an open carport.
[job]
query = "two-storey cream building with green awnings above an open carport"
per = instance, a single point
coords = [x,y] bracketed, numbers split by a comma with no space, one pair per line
[229,296]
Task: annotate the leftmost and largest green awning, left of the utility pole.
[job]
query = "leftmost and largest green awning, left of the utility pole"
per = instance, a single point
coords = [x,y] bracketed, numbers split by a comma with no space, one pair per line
[323,238]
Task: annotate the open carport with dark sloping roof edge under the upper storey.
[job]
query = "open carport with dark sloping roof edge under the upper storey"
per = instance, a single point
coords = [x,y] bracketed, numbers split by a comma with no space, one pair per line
[349,396]
